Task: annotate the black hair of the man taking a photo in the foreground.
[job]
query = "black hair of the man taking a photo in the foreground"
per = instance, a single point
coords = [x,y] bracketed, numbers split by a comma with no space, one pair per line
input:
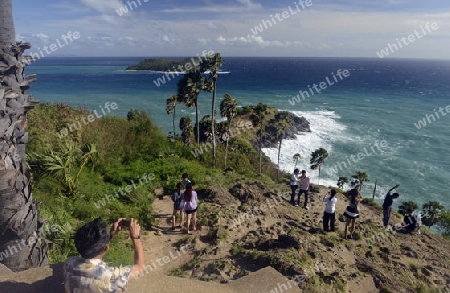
[92,238]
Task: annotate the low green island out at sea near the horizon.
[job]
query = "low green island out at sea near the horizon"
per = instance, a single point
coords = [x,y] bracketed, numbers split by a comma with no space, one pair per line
[163,64]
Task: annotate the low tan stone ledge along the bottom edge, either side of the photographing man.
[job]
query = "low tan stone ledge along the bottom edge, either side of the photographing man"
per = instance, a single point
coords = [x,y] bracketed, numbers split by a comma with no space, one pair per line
[50,279]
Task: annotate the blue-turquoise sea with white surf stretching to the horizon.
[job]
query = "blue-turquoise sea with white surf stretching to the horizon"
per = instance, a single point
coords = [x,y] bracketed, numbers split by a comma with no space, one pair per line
[378,102]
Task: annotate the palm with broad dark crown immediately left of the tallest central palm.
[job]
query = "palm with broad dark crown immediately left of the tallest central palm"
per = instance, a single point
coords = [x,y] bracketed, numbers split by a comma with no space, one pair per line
[189,88]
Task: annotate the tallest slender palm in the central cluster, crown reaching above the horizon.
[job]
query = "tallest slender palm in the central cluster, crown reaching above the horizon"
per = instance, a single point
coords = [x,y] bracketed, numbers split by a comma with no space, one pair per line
[212,64]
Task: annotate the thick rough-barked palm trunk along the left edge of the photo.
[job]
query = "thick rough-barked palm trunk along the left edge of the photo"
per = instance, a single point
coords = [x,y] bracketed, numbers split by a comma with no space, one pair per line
[18,210]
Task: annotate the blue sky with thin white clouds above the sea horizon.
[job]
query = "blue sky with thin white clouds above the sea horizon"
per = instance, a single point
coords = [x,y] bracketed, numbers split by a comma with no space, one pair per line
[300,28]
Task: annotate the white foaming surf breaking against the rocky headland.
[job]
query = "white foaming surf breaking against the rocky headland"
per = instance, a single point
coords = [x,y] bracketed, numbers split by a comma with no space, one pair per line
[325,131]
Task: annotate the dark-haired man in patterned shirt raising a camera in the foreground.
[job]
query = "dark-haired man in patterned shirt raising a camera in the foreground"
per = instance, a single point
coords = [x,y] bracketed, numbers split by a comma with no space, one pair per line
[89,273]
